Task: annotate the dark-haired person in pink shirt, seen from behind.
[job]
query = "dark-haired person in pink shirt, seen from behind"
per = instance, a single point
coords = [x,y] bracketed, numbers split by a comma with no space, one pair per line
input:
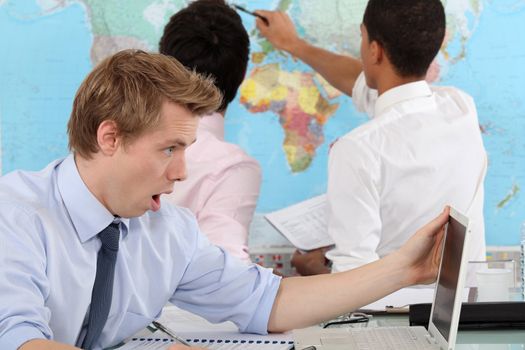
[208,36]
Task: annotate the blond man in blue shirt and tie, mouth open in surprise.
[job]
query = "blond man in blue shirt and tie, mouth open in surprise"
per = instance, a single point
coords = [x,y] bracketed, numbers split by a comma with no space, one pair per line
[90,254]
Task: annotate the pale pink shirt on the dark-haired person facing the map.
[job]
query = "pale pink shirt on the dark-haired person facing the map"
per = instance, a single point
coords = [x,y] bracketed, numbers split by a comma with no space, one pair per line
[221,189]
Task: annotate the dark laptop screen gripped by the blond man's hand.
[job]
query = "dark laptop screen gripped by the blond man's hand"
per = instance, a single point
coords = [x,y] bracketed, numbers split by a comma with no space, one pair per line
[447,284]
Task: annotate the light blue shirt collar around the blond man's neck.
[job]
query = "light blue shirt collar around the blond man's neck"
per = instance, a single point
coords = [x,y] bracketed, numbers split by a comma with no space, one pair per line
[87,214]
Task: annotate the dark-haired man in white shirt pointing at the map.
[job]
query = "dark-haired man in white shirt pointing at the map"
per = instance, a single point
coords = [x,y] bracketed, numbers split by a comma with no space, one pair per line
[421,149]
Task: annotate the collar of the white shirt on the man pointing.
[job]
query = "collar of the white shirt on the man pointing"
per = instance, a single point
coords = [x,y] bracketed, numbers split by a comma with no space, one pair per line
[401,93]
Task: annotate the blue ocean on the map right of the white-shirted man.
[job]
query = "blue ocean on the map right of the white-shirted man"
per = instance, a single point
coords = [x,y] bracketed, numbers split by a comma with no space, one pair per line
[492,74]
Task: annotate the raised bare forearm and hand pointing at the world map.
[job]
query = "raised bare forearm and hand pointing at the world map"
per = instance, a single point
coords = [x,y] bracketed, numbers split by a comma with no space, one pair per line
[341,71]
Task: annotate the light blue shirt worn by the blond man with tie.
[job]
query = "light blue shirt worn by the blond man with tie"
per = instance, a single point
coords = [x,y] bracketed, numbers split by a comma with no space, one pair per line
[48,250]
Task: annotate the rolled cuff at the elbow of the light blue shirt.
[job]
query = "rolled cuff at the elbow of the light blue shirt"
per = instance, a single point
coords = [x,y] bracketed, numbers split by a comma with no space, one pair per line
[259,323]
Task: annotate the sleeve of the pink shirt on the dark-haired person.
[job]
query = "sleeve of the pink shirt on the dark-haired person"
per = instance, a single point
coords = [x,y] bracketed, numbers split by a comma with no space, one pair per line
[228,211]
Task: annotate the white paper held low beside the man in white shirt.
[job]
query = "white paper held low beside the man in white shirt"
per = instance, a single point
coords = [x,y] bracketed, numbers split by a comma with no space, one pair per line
[303,224]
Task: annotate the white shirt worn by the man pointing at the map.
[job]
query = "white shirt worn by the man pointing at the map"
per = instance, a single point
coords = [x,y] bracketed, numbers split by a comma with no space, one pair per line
[387,178]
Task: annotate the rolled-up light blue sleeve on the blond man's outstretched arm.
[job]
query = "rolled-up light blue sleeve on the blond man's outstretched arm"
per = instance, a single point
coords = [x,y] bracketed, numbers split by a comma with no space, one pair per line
[220,288]
